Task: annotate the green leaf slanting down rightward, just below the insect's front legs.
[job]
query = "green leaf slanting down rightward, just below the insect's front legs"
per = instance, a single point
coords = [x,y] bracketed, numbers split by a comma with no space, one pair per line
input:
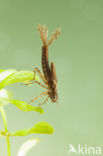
[26,107]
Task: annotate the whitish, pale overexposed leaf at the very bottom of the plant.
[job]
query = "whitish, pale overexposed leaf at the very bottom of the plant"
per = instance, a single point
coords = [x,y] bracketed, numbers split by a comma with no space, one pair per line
[26,146]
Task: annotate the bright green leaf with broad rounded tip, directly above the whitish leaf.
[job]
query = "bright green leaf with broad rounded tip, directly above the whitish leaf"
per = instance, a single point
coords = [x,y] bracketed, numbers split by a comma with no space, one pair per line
[41,128]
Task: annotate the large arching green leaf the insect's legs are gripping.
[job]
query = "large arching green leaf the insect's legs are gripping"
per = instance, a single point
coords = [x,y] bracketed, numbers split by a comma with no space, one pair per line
[17,76]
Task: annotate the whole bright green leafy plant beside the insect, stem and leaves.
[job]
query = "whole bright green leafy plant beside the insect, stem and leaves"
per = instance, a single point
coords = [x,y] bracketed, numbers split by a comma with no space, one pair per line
[8,77]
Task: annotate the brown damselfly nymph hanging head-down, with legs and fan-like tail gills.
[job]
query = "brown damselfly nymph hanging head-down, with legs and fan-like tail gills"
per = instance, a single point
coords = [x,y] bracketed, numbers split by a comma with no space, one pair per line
[49,73]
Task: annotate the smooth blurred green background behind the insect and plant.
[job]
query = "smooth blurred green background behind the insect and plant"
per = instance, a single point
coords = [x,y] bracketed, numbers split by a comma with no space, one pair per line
[78,55]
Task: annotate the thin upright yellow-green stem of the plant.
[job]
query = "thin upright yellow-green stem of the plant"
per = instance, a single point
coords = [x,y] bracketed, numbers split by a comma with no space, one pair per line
[6,130]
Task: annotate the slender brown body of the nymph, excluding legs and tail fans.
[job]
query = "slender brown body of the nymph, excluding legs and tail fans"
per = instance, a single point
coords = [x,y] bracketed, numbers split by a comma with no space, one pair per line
[49,74]
